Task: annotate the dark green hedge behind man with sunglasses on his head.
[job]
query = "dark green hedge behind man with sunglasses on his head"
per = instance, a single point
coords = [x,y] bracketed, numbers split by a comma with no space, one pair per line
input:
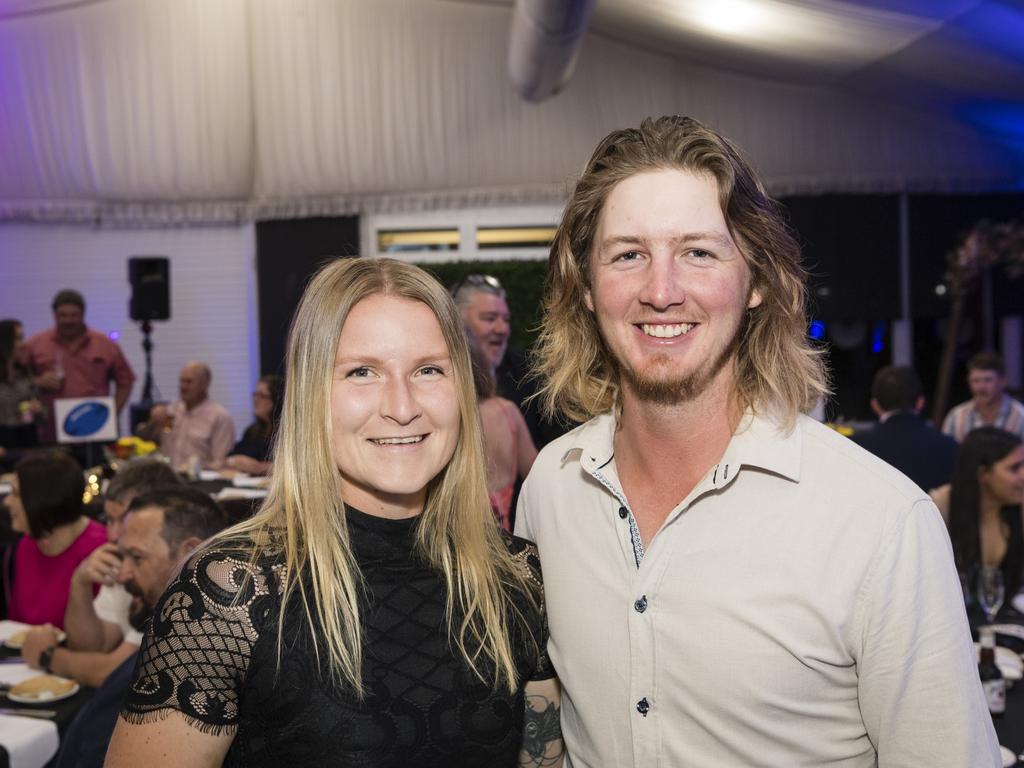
[524,282]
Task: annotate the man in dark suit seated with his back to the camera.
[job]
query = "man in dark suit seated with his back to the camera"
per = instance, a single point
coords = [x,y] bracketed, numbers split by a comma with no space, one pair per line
[902,438]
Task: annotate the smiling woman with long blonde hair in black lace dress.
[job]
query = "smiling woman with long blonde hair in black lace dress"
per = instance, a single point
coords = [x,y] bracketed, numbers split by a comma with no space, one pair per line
[371,614]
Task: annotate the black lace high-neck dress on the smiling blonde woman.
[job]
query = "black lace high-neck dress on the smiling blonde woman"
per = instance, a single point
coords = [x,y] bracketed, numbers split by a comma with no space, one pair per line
[217,664]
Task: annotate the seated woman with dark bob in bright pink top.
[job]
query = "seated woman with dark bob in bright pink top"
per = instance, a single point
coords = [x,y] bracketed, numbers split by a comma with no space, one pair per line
[46,504]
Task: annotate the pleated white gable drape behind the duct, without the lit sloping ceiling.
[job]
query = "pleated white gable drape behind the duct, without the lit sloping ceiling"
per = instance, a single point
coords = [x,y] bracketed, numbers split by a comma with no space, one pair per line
[219,111]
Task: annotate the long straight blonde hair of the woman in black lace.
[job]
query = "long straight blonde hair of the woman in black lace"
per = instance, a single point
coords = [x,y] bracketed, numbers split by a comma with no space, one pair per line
[304,516]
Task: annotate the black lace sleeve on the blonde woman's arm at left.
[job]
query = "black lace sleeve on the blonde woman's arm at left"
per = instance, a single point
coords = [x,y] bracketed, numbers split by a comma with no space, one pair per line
[196,657]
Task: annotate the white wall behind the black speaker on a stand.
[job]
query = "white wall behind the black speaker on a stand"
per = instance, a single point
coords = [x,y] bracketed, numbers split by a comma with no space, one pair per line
[214,297]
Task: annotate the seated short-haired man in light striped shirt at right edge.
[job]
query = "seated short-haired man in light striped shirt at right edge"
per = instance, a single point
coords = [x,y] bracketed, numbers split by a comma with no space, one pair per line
[990,405]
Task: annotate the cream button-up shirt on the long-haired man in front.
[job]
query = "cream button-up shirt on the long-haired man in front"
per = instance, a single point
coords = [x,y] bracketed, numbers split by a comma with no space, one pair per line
[800,608]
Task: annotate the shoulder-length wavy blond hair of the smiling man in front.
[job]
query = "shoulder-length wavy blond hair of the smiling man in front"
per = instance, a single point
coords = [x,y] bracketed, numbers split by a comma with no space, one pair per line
[777,365]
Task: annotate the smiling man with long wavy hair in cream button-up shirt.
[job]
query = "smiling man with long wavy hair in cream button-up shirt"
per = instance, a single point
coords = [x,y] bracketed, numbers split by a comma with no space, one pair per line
[728,582]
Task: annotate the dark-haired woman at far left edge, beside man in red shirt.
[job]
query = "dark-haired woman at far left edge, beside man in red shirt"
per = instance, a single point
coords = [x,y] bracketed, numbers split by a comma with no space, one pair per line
[19,406]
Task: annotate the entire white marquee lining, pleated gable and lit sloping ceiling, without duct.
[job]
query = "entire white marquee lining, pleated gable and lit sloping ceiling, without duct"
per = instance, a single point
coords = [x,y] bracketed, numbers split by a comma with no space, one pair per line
[200,111]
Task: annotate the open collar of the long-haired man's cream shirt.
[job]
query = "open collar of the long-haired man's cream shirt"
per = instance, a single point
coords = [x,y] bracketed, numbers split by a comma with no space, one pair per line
[759,443]
